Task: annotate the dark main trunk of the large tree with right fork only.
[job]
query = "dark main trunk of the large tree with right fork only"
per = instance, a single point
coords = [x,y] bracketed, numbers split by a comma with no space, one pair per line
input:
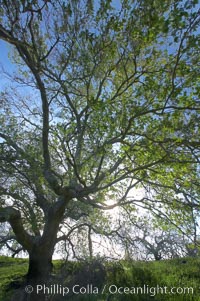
[40,256]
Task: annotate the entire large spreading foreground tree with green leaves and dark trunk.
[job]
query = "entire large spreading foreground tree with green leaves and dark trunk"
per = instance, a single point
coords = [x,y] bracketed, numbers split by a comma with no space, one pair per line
[105,99]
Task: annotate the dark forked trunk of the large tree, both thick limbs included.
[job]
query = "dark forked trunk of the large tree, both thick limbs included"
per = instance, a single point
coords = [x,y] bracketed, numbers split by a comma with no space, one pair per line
[40,249]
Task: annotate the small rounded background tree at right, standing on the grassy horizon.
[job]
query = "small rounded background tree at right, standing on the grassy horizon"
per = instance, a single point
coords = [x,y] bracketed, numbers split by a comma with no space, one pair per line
[144,238]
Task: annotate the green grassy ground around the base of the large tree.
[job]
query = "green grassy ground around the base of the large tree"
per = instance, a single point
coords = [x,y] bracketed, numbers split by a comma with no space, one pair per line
[167,280]
